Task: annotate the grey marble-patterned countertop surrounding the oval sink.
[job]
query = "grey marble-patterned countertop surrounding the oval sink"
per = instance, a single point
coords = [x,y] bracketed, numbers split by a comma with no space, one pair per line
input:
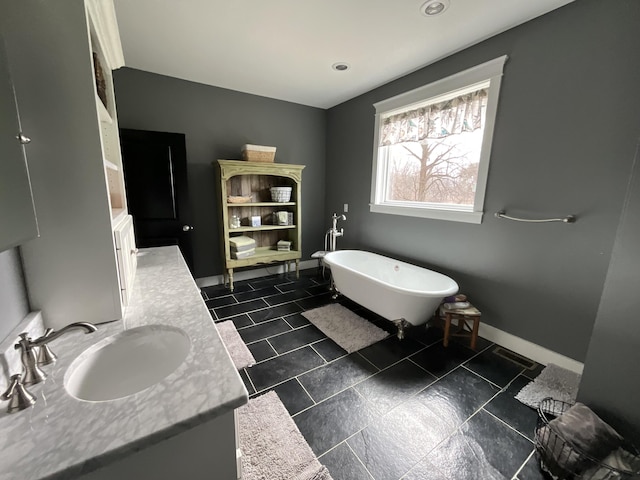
[62,437]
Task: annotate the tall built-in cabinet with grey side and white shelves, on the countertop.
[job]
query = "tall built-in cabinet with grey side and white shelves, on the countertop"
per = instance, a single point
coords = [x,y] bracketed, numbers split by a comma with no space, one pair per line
[82,265]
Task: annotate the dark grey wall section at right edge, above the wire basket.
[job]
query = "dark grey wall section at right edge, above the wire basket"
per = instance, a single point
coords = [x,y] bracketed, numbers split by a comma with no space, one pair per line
[609,382]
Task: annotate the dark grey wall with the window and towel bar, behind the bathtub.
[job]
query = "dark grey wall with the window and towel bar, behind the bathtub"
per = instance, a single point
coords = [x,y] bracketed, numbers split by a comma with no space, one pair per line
[564,143]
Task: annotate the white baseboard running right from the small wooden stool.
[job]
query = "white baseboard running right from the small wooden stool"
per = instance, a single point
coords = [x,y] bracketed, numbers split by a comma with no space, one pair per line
[528,349]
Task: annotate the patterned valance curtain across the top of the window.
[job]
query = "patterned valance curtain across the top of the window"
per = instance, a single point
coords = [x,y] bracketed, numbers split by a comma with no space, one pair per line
[459,114]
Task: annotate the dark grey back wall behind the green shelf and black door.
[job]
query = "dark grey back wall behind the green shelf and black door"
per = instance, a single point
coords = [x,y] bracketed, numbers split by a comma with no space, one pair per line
[217,122]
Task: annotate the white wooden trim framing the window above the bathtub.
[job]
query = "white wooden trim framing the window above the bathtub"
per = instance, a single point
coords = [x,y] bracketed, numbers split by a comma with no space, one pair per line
[491,71]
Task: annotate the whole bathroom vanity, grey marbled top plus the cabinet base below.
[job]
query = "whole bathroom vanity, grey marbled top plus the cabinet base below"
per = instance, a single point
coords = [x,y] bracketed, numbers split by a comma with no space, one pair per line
[181,427]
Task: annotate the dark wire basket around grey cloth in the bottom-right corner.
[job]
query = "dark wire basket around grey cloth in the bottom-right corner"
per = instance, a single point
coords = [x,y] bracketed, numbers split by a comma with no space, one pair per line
[562,461]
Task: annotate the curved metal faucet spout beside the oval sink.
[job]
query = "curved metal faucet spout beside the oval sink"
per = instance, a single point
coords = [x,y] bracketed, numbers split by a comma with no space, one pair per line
[34,353]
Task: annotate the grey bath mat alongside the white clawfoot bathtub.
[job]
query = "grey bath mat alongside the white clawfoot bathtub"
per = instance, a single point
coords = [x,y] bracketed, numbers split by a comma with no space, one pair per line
[344,327]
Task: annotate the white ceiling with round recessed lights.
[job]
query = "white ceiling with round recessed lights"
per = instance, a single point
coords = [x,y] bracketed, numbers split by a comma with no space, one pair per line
[285,49]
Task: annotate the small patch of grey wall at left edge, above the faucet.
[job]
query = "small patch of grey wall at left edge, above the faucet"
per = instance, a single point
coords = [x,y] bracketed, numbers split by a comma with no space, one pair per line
[14,305]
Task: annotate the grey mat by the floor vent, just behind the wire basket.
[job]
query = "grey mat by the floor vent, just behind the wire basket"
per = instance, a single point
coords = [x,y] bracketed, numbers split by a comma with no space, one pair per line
[555,382]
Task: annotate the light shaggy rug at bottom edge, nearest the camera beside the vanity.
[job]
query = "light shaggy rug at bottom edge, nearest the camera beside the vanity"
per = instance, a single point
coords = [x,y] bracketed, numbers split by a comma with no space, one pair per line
[272,446]
